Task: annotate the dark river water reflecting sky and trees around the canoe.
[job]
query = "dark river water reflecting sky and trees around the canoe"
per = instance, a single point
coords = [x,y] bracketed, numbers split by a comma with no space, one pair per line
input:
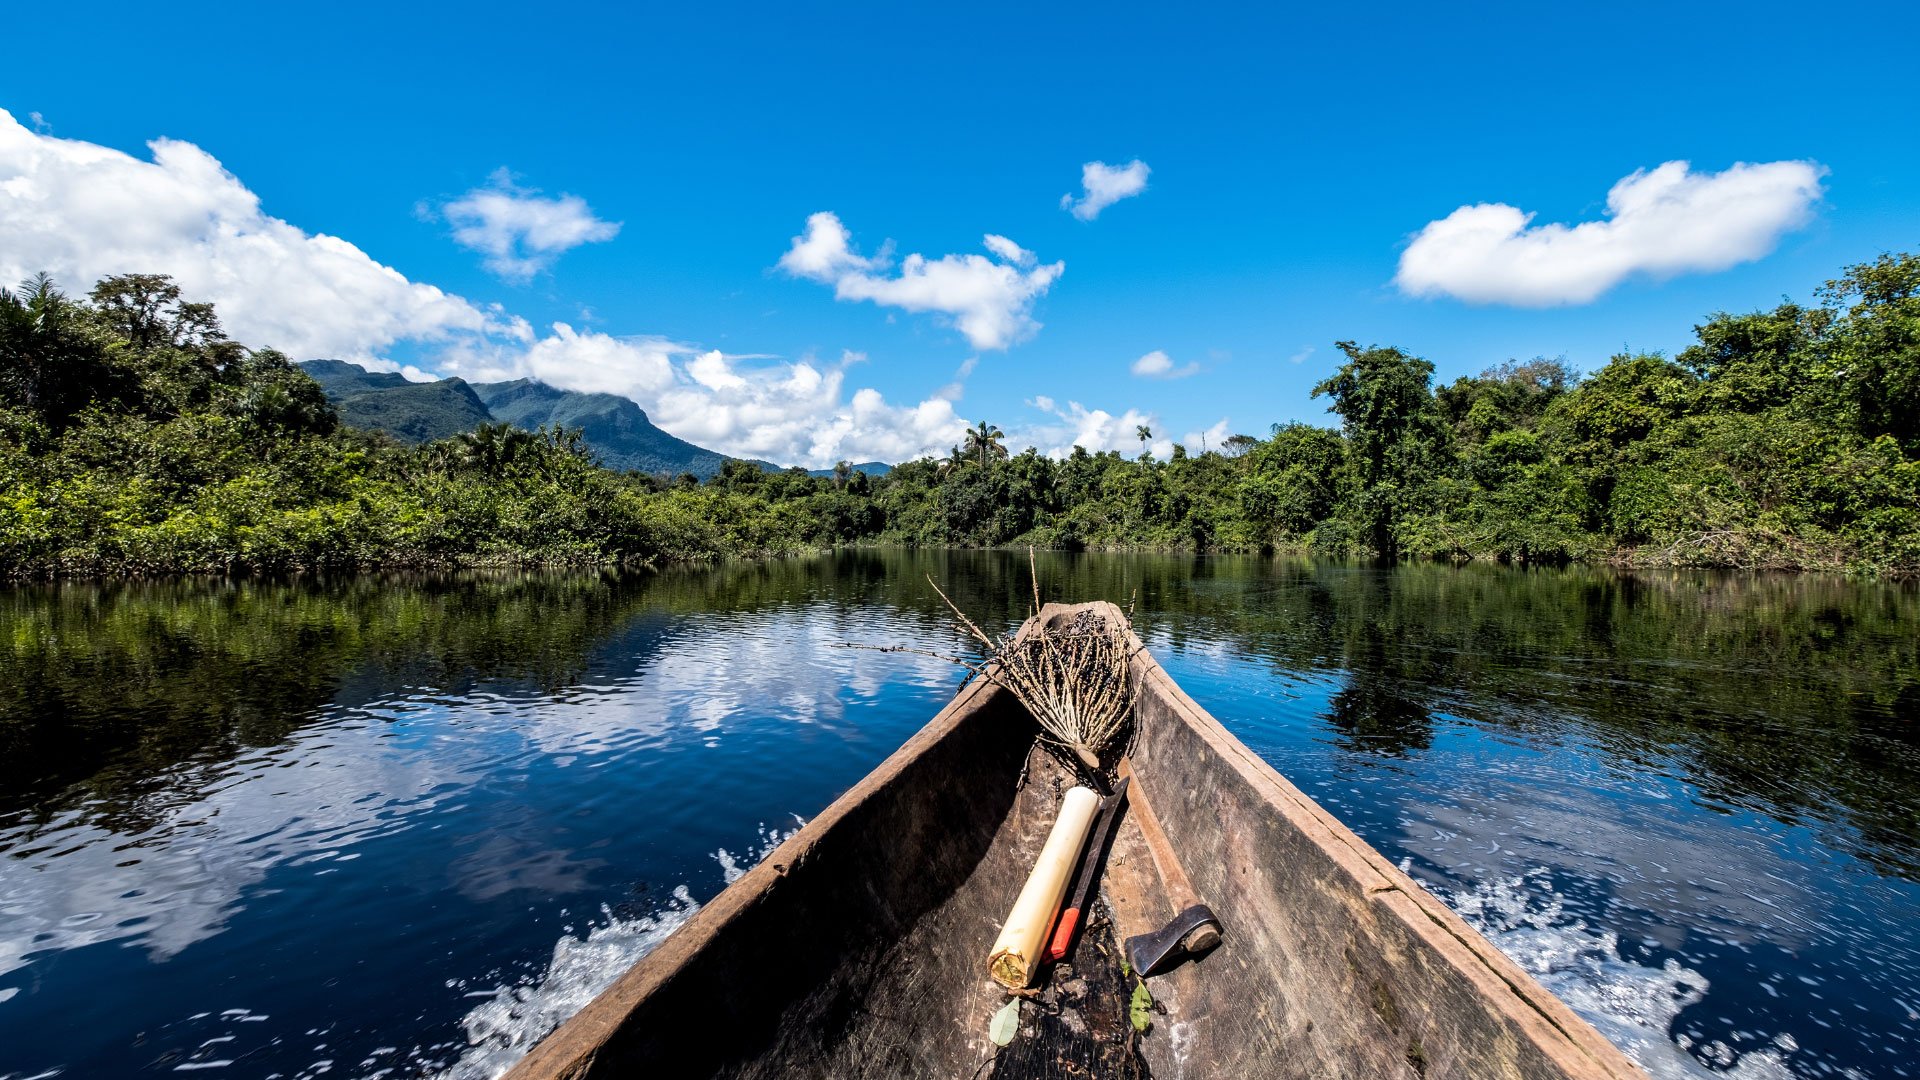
[400,825]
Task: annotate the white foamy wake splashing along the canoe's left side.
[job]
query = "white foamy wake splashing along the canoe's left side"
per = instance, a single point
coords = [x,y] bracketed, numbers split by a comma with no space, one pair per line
[514,1018]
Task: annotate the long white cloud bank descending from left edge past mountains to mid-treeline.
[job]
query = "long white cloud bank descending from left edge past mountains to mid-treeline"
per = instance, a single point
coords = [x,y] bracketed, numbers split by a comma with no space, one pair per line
[84,212]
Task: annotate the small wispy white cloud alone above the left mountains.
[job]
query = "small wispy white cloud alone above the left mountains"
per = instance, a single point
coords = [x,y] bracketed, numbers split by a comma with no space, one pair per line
[521,232]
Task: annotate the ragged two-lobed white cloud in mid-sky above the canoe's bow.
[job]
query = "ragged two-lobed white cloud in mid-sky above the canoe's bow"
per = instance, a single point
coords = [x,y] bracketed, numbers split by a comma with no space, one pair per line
[986,299]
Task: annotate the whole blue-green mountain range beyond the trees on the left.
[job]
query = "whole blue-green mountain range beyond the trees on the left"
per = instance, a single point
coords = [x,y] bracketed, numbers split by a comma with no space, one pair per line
[615,428]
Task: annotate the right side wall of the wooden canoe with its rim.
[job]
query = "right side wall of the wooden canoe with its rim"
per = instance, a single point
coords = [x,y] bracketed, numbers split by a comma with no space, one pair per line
[1335,962]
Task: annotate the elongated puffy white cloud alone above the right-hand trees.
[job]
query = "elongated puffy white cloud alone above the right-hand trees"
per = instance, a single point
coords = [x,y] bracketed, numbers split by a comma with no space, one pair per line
[1662,224]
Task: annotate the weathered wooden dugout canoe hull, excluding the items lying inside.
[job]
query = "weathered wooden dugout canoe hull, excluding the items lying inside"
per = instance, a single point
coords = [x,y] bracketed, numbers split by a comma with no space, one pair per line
[859,948]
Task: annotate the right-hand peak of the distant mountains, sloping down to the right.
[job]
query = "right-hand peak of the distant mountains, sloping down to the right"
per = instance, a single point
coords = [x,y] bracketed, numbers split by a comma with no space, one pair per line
[615,428]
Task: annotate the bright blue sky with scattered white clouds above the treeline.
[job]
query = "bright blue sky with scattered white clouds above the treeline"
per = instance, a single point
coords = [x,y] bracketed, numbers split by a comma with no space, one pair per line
[1293,159]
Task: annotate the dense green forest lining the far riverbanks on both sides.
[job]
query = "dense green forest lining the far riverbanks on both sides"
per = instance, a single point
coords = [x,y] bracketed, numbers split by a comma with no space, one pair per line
[135,437]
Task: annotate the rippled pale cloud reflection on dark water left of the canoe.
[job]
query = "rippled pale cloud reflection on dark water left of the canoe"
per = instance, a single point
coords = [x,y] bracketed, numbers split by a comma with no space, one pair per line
[387,768]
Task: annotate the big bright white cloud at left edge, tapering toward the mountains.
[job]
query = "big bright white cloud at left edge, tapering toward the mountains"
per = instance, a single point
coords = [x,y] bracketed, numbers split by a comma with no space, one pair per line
[84,212]
